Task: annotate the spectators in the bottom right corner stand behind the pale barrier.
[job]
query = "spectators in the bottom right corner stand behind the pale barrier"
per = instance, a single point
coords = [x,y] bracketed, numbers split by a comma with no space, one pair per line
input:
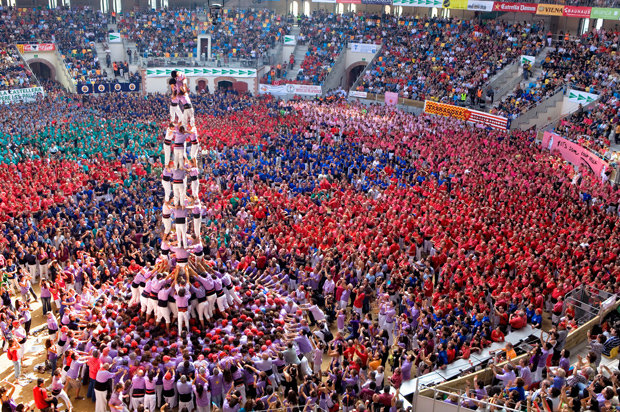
[587,384]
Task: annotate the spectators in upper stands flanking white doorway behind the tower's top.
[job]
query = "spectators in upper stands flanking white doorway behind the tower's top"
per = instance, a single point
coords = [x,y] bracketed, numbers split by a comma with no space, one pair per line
[241,34]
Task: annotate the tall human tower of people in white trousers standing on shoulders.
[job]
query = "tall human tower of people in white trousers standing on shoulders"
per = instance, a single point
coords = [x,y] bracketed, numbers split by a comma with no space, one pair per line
[166,293]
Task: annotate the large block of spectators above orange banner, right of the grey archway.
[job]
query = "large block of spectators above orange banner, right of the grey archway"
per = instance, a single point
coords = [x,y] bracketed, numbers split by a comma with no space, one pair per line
[446,59]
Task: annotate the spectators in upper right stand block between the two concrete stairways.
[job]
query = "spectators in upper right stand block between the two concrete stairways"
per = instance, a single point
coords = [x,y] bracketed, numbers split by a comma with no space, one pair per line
[589,62]
